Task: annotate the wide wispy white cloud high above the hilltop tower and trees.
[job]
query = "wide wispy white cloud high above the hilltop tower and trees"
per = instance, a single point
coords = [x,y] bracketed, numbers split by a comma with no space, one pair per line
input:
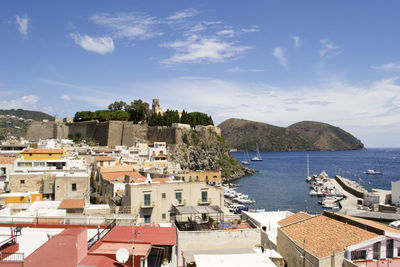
[197,49]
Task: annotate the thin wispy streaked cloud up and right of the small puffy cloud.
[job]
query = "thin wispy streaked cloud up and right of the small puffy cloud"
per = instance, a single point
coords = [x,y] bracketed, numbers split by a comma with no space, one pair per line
[128,25]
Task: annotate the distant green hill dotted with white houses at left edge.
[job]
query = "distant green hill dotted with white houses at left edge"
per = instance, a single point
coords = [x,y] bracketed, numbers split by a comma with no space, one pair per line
[14,122]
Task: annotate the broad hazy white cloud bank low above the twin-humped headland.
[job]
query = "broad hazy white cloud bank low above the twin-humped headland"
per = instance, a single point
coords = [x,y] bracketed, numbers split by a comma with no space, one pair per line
[367,116]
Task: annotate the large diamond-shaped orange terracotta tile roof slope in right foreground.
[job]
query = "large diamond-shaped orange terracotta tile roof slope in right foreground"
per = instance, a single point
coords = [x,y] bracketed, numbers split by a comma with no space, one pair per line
[323,235]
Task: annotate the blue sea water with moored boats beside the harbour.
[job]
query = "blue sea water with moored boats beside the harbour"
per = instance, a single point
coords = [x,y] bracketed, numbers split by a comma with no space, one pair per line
[279,183]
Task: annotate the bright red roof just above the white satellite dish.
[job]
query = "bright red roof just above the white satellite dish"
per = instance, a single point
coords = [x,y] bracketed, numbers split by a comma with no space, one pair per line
[161,236]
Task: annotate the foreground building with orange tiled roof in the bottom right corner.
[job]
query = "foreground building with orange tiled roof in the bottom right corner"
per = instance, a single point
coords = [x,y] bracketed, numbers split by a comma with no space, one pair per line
[332,239]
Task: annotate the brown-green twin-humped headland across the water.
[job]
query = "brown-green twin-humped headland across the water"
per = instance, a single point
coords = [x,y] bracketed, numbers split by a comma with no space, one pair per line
[306,135]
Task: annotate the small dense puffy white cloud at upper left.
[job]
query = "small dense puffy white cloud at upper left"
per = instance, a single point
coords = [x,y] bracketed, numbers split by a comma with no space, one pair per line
[101,45]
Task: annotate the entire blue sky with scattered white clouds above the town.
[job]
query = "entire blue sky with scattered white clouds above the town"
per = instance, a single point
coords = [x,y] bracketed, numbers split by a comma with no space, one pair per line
[278,62]
